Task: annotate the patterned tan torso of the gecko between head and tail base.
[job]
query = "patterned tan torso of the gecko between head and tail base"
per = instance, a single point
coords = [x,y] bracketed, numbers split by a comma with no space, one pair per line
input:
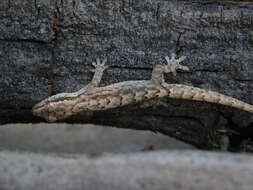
[109,98]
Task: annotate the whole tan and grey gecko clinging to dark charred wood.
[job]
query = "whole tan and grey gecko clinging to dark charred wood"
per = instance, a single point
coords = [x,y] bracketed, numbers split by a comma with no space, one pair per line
[94,98]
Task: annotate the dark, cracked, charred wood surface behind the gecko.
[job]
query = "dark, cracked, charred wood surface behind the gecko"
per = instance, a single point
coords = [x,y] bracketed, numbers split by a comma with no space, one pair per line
[47,46]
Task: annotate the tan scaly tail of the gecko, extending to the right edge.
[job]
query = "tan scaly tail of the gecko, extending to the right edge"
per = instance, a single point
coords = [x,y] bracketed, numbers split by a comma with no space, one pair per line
[197,94]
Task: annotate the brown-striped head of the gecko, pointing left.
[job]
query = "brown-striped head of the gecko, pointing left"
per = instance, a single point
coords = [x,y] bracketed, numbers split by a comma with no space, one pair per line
[54,108]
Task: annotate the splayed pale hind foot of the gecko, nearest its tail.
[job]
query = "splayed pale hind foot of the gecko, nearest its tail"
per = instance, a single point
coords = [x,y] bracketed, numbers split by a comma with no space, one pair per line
[174,64]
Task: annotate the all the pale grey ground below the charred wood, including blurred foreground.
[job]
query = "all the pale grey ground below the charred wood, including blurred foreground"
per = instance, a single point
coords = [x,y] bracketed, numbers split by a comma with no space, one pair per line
[80,157]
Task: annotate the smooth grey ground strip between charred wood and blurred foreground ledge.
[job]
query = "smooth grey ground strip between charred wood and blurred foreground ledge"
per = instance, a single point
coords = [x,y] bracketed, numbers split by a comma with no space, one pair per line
[88,138]
